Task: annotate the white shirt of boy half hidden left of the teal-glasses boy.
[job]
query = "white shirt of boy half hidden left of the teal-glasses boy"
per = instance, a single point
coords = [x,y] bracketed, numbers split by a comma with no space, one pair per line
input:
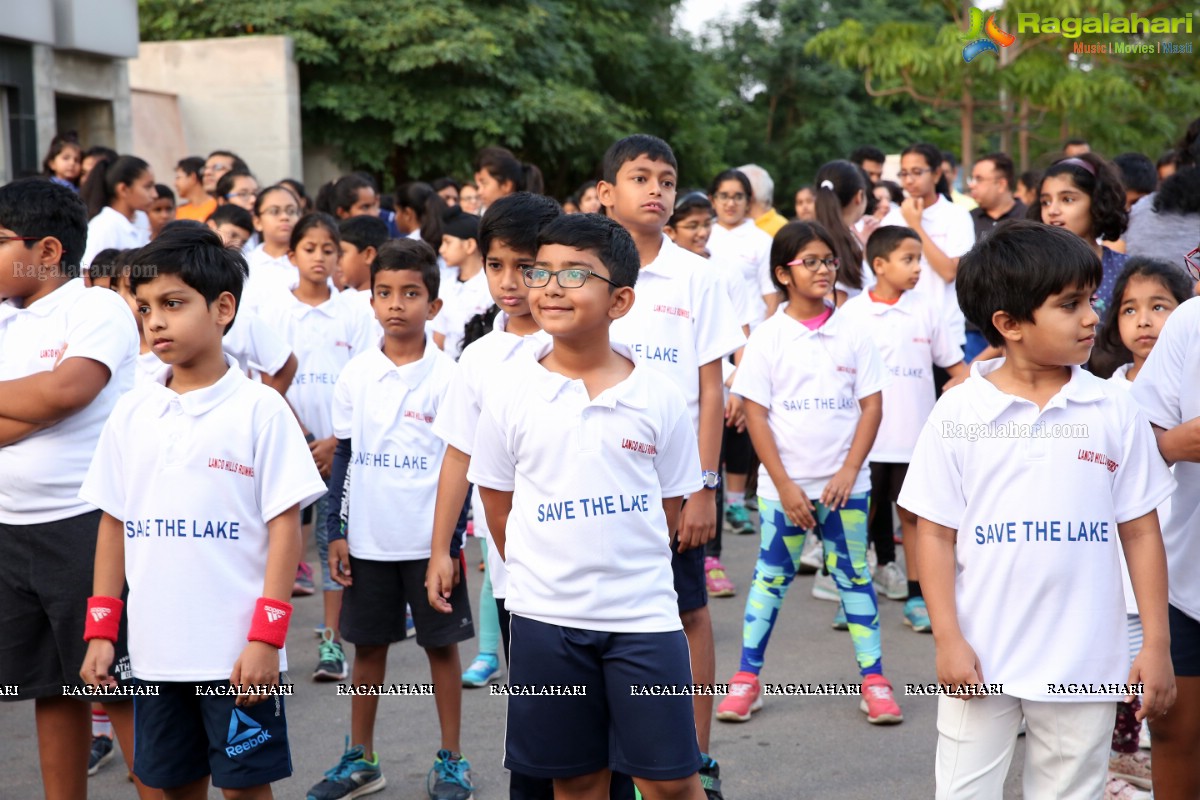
[485,366]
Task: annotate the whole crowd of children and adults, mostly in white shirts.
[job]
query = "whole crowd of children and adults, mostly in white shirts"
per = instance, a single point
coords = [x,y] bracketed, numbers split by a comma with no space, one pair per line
[967,405]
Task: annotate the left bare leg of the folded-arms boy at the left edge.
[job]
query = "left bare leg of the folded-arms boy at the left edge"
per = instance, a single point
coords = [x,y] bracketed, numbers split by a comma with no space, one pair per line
[64,744]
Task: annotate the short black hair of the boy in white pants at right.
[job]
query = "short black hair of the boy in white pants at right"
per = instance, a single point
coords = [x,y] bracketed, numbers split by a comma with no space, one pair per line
[1017,268]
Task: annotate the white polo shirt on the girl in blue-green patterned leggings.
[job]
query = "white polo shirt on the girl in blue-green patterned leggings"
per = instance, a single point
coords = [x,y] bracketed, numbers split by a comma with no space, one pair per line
[811,383]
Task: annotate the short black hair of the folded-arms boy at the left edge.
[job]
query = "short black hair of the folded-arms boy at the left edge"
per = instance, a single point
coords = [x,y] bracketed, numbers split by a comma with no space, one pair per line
[38,207]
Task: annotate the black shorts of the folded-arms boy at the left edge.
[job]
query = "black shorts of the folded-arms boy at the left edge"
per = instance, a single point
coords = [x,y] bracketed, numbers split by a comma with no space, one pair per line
[46,573]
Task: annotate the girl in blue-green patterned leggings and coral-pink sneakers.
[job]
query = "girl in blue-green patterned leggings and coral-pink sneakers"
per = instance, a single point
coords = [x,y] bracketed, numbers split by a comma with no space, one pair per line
[813,390]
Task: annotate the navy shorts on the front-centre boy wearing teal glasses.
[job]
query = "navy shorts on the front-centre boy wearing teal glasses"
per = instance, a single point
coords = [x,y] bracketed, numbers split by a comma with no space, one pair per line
[616,725]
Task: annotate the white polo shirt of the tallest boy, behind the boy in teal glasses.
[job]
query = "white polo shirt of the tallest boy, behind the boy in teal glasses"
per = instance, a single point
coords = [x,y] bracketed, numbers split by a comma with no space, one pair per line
[681,321]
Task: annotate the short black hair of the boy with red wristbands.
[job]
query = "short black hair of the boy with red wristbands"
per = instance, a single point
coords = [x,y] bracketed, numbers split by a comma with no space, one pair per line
[197,256]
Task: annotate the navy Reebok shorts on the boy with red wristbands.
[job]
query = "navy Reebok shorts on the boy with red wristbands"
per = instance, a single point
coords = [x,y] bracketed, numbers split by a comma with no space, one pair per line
[181,738]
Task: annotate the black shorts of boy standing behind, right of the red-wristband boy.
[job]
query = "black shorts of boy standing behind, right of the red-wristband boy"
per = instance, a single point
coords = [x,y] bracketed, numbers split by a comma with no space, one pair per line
[374,606]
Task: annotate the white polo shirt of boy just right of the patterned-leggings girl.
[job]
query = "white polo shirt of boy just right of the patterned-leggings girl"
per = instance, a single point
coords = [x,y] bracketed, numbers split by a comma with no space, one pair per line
[911,339]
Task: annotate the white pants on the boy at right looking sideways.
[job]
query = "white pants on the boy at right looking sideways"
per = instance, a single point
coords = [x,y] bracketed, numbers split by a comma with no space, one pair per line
[1066,748]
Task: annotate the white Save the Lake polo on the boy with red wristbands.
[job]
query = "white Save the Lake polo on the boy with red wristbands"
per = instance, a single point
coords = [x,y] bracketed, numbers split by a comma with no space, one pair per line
[195,480]
